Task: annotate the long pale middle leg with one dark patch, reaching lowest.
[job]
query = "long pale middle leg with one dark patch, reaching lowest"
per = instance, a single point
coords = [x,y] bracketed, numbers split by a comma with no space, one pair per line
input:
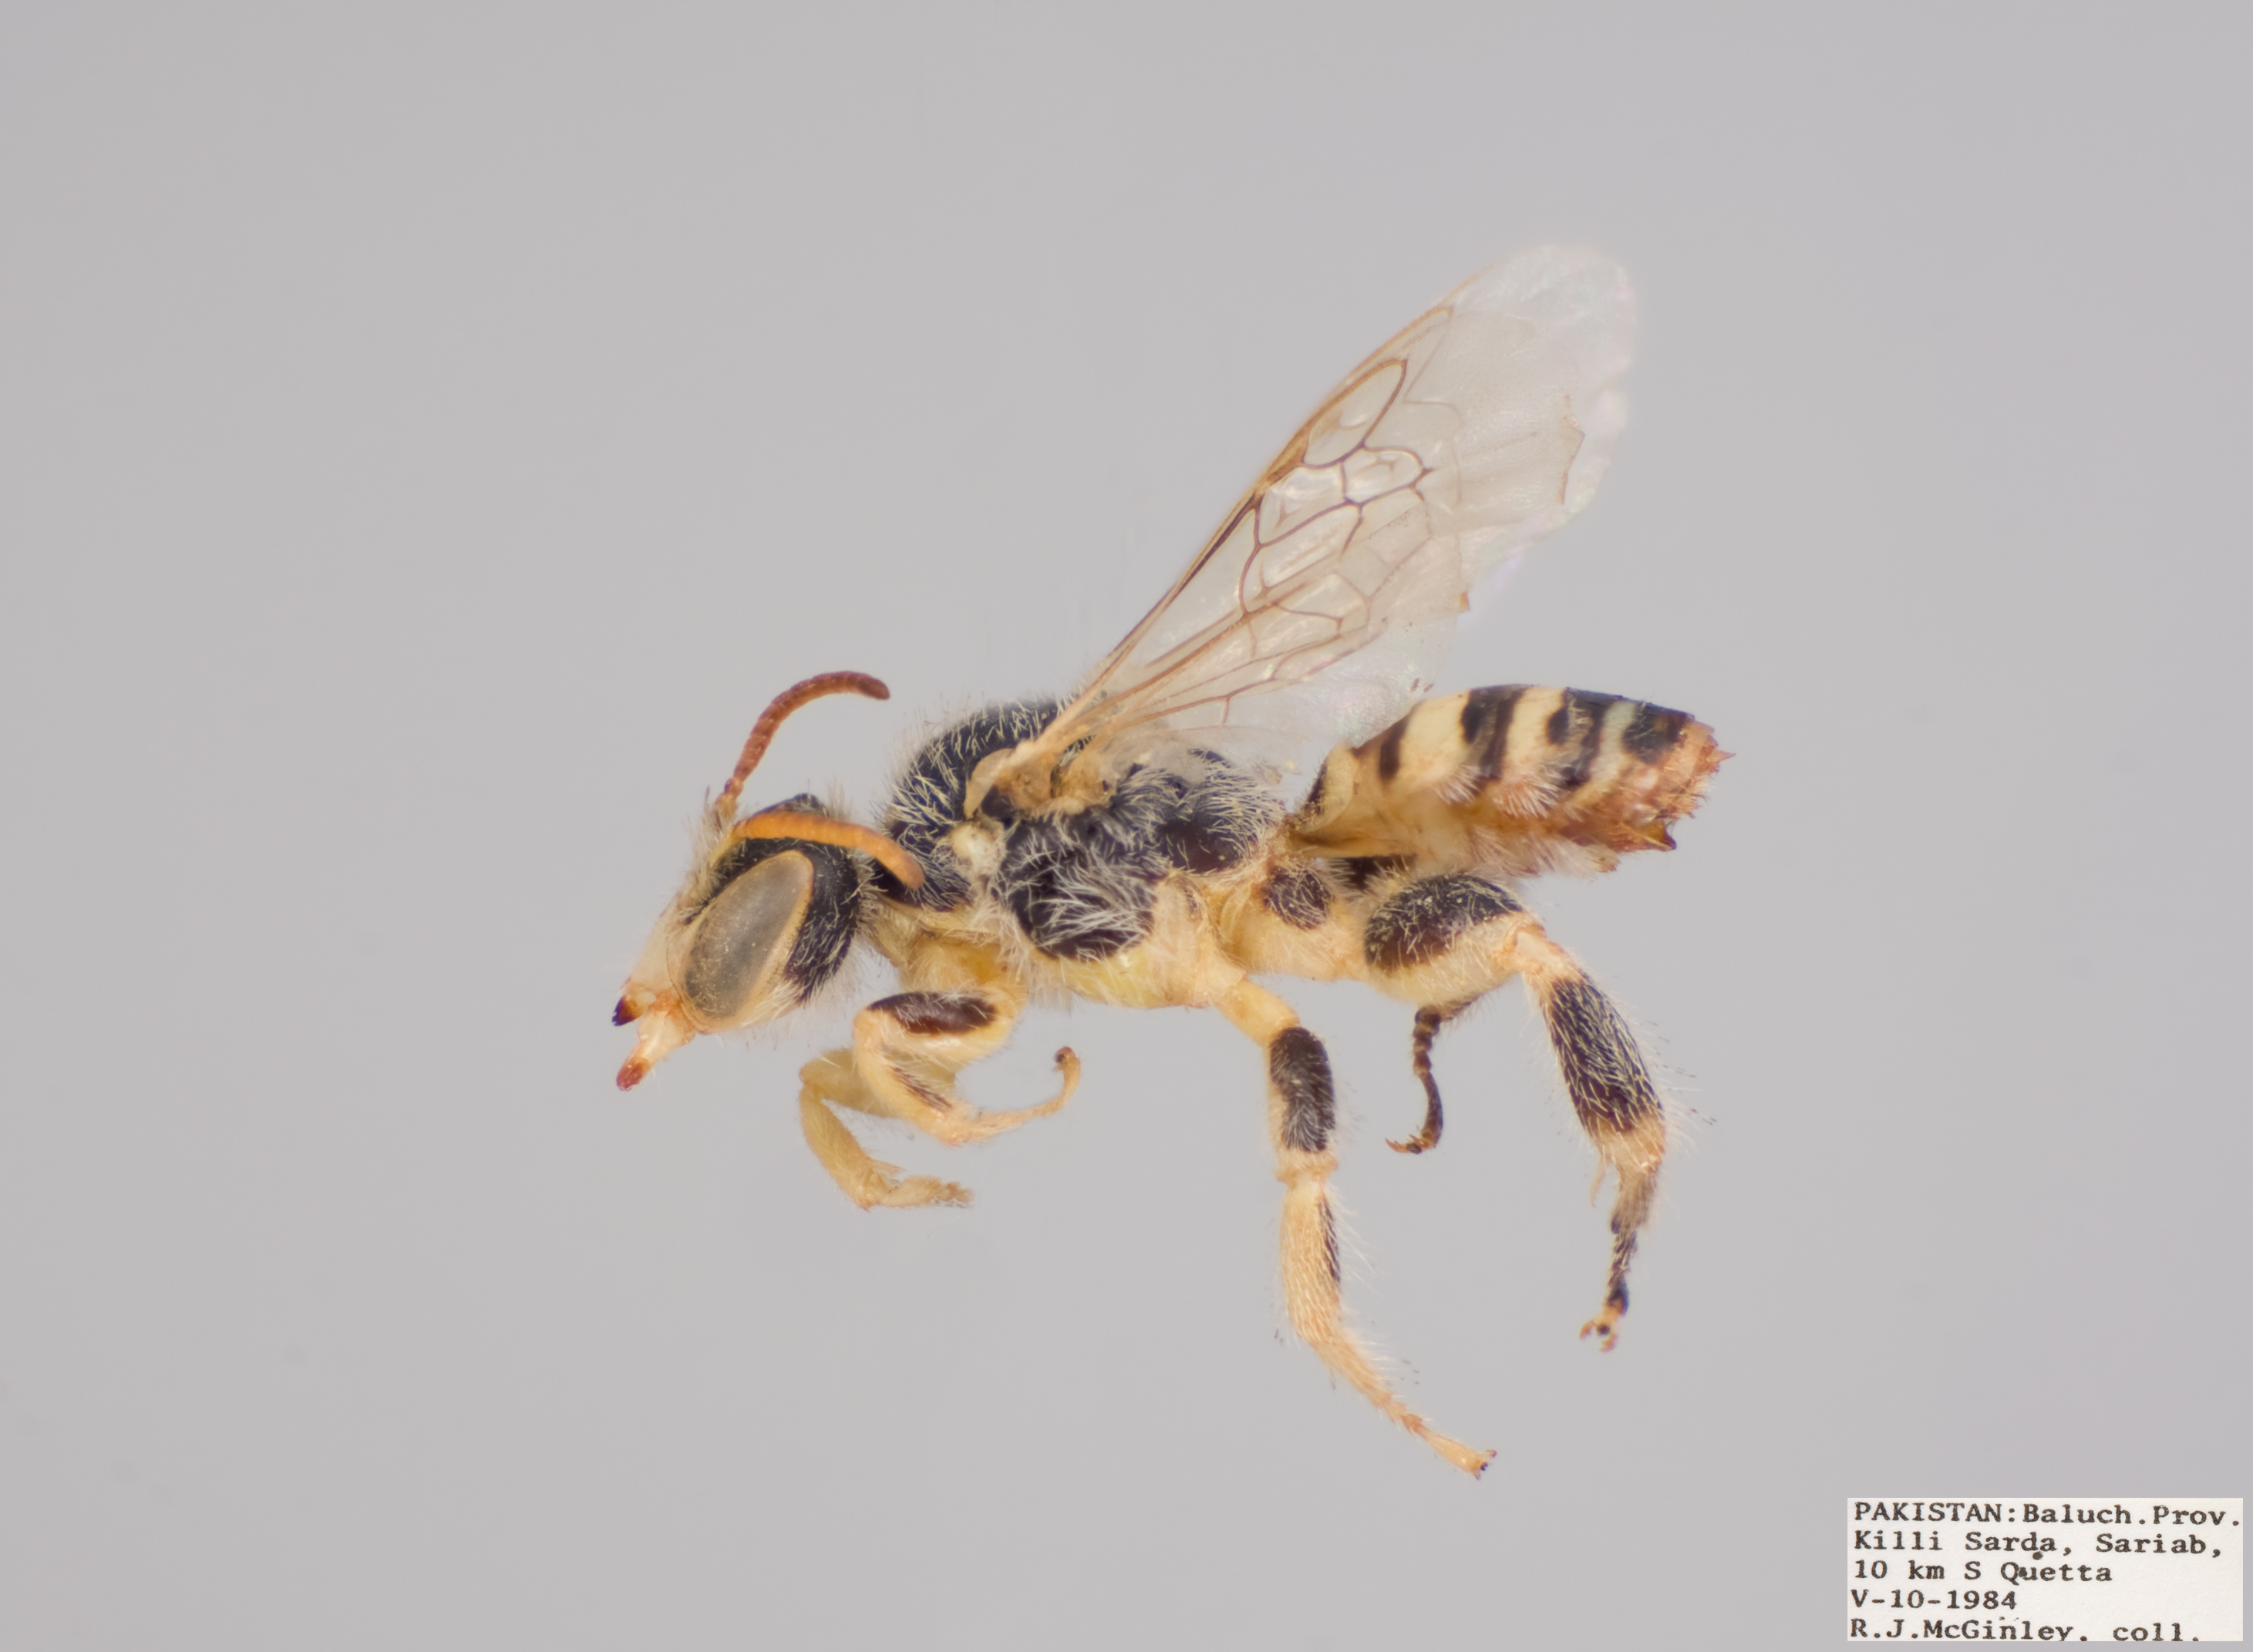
[1303,1123]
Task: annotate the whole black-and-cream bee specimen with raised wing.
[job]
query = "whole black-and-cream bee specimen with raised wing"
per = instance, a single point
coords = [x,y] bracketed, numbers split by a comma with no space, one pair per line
[1130,844]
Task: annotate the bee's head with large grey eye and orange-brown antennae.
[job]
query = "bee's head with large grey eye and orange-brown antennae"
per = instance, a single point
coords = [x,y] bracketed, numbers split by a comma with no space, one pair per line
[765,916]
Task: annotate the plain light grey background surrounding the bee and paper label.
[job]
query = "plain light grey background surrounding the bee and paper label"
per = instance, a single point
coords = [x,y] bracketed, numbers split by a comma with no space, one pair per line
[431,434]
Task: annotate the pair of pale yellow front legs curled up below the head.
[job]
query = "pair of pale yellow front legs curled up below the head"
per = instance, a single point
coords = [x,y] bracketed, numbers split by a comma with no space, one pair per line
[902,1065]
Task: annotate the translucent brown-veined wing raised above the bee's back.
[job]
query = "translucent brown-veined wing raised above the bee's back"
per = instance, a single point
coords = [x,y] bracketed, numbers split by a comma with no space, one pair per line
[1333,587]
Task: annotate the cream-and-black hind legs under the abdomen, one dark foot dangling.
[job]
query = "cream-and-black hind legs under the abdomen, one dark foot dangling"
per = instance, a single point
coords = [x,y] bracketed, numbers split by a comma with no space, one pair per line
[1445,941]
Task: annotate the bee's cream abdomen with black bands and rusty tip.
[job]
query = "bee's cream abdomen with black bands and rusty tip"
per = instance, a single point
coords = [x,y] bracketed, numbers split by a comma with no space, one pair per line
[1513,781]
